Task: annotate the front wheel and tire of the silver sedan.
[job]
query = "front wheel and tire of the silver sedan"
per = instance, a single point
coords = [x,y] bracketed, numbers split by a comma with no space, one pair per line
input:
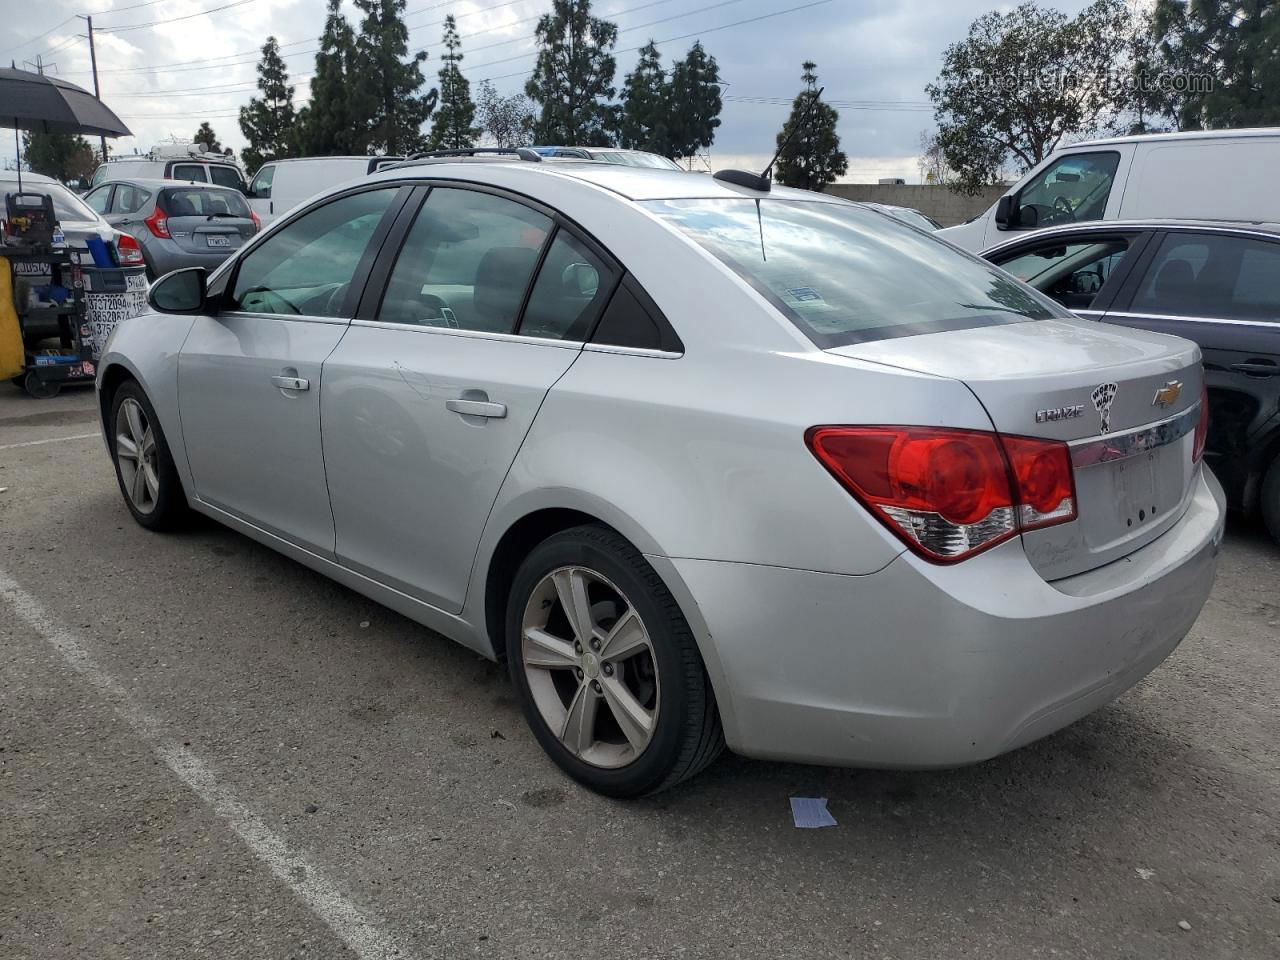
[144,465]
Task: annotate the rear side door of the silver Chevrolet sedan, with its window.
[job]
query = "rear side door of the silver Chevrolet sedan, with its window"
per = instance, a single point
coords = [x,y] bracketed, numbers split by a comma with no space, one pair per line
[436,386]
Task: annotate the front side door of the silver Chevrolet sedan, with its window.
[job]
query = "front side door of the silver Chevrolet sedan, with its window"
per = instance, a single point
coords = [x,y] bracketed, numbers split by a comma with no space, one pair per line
[250,373]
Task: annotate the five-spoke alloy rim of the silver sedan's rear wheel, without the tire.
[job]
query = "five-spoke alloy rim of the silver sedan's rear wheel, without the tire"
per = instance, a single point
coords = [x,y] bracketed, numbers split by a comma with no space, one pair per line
[591,666]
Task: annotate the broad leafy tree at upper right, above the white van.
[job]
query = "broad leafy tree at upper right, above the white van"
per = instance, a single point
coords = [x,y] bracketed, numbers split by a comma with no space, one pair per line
[1025,80]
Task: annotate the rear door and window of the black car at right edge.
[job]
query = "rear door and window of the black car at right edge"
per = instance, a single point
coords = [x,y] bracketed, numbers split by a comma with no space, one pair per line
[1223,291]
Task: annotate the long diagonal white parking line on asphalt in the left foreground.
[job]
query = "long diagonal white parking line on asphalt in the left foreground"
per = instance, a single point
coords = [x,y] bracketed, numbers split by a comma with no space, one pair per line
[358,931]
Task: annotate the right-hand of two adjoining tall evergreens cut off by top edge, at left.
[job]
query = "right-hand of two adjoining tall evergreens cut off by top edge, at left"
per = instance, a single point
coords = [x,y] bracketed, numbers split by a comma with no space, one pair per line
[387,86]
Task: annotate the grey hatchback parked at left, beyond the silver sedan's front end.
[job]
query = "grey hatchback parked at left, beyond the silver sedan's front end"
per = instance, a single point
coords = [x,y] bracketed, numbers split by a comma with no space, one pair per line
[177,225]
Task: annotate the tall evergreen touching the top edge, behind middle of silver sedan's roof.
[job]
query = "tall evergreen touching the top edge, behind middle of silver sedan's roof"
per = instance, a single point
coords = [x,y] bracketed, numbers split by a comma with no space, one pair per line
[573,80]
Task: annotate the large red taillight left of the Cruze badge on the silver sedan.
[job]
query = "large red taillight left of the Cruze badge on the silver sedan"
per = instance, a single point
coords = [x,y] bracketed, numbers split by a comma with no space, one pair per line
[949,495]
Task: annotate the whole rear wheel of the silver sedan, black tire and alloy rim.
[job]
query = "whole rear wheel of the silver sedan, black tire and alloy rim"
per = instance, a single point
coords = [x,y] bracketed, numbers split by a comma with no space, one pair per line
[610,675]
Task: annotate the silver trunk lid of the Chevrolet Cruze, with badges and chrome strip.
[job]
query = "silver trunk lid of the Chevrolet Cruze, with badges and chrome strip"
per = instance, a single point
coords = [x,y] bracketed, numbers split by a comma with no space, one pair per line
[1126,401]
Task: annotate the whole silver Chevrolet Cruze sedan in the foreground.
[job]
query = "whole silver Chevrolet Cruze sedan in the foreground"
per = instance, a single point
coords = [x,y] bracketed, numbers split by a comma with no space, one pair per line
[705,464]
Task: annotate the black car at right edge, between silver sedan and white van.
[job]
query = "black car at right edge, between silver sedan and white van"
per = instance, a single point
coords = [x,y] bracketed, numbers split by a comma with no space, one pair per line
[1214,284]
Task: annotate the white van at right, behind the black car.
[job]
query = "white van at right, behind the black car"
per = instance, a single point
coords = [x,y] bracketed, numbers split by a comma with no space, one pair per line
[1200,175]
